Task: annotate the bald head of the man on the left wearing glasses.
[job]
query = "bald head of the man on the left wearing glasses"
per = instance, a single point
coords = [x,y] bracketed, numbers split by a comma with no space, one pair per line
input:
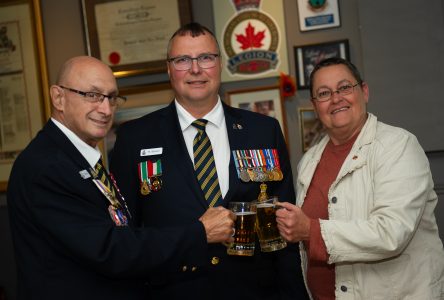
[71,103]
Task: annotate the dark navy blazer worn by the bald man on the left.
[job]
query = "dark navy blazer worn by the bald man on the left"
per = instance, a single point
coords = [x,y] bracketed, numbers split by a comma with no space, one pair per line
[67,246]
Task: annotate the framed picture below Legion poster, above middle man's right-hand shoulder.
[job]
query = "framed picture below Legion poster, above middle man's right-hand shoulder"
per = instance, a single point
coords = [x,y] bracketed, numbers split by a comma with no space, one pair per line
[264,100]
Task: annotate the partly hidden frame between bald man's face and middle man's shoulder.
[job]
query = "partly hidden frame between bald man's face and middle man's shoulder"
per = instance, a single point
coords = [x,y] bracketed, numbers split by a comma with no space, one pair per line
[141,100]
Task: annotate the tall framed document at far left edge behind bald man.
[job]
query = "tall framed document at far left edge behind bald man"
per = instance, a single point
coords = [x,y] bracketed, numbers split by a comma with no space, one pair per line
[23,80]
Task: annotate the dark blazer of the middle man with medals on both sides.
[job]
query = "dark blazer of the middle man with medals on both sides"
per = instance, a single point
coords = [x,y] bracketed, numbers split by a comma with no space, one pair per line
[181,201]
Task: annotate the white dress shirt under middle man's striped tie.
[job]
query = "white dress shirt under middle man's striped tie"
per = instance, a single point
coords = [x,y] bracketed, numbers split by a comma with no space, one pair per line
[216,130]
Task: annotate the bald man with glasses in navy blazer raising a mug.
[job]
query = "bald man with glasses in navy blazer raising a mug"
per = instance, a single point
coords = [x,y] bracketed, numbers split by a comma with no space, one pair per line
[71,226]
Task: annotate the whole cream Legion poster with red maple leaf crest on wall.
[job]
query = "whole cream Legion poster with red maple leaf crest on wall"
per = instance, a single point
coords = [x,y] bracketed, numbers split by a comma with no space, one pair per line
[251,35]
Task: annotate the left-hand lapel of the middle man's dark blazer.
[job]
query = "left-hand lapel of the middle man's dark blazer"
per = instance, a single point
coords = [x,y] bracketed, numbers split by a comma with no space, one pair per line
[173,140]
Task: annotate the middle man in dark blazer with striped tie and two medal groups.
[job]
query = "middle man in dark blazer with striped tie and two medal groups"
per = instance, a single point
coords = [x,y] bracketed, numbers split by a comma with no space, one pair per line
[154,165]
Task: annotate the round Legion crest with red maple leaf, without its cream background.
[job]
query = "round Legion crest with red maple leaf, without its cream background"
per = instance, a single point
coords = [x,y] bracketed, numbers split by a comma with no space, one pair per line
[251,41]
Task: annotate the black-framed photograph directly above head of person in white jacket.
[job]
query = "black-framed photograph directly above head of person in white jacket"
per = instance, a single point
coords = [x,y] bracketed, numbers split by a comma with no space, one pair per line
[307,56]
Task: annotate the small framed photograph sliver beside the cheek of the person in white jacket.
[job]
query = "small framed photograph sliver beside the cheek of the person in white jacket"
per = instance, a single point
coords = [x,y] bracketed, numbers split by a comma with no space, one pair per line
[312,130]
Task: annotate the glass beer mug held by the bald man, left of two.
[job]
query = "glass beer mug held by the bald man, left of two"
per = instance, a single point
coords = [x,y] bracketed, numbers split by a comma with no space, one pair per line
[244,228]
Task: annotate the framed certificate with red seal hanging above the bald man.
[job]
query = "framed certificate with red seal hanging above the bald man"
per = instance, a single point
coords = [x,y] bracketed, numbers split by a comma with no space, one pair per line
[117,32]
